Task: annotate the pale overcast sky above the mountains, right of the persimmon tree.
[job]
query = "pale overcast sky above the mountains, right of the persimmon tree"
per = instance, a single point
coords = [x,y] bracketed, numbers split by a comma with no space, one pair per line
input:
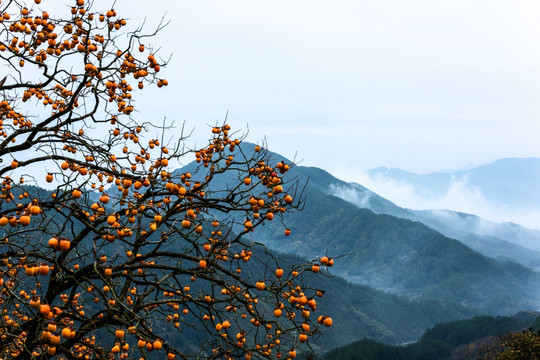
[347,86]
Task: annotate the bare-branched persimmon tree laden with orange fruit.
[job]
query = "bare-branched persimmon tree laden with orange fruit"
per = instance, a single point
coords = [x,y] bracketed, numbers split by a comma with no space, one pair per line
[125,255]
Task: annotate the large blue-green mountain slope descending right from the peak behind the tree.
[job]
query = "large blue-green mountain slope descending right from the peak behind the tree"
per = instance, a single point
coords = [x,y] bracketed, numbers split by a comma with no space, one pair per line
[391,253]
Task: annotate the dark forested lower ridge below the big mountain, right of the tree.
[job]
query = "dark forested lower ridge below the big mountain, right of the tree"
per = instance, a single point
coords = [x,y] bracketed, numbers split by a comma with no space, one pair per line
[360,311]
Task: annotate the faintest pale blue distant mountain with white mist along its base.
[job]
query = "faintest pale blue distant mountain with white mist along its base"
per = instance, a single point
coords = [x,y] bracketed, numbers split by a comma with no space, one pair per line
[503,190]
